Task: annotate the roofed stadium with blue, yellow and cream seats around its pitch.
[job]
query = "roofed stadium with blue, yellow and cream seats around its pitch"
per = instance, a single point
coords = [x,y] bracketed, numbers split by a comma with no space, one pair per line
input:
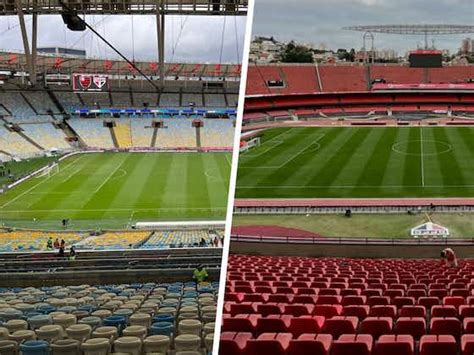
[114,180]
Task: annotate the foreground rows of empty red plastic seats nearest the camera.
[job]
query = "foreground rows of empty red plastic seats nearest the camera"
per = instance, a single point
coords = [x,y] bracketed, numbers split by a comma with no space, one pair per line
[295,305]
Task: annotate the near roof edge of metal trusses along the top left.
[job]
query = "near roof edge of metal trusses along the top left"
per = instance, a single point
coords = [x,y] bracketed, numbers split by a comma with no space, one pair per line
[128,7]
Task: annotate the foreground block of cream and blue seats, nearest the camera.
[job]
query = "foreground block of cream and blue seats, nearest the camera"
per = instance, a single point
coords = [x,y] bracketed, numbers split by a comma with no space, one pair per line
[126,318]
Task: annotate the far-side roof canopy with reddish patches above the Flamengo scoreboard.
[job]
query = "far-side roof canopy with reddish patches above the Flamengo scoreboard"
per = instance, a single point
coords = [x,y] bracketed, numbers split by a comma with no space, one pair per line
[50,64]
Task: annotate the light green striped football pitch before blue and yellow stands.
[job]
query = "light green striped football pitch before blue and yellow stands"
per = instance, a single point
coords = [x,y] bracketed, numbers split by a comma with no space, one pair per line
[114,190]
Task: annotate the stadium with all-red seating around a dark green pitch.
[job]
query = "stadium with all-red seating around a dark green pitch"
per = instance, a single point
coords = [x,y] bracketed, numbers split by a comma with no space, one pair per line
[352,178]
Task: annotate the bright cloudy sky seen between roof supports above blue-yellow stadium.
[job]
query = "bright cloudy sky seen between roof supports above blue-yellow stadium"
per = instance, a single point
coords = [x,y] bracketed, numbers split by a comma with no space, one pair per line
[188,38]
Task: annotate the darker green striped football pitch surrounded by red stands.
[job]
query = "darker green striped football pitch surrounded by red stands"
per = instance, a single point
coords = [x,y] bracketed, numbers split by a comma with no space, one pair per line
[359,162]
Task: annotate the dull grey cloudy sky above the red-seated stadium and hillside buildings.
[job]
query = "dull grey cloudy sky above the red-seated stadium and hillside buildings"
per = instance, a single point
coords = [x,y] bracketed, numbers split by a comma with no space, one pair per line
[320,21]
